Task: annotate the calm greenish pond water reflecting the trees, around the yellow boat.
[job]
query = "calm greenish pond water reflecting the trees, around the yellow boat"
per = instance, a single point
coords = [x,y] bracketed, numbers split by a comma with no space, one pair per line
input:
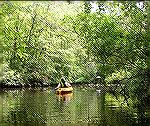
[84,107]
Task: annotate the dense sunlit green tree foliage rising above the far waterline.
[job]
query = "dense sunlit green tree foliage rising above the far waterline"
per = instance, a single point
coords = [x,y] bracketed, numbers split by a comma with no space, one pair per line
[44,40]
